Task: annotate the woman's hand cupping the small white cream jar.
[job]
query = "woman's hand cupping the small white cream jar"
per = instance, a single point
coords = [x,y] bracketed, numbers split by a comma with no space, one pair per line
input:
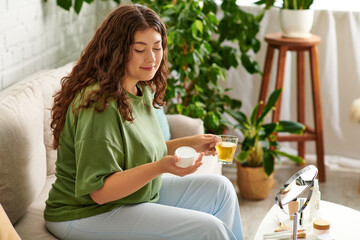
[168,165]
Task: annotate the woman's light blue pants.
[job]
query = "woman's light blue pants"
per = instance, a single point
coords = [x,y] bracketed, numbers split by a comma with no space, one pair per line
[193,207]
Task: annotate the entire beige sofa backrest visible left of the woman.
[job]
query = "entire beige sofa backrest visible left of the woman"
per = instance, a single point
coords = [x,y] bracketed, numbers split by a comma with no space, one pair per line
[26,156]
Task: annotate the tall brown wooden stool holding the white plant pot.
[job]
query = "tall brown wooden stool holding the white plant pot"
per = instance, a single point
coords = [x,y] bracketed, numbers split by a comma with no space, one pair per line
[276,41]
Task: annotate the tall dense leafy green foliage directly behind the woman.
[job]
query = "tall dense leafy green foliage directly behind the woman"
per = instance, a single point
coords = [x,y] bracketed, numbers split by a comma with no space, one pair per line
[200,55]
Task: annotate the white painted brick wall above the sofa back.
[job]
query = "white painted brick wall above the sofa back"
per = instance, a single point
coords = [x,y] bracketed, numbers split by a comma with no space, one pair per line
[36,35]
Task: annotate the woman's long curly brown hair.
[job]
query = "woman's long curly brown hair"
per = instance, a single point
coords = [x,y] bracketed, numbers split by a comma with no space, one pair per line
[104,61]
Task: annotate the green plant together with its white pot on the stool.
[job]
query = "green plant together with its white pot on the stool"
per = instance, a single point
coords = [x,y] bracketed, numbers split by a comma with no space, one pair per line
[296,17]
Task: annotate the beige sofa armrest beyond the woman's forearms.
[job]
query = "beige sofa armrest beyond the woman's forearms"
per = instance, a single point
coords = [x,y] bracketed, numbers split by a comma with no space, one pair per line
[183,126]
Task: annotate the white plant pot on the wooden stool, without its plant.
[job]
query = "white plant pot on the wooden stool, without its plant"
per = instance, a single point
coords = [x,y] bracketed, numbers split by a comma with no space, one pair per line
[296,23]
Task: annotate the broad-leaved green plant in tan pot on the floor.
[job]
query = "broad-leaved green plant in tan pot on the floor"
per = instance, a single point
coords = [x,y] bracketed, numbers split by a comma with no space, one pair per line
[259,148]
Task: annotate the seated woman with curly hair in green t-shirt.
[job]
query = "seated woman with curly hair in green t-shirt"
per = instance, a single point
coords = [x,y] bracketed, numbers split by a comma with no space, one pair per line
[111,152]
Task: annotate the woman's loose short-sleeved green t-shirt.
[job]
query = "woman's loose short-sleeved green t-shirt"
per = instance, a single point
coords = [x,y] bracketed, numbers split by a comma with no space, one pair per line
[94,145]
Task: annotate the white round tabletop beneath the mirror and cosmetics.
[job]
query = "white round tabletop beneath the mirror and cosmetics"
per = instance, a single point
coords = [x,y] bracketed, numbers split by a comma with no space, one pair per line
[344,221]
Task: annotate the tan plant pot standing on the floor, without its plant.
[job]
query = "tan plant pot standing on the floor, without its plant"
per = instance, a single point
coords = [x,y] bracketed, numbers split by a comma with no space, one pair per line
[253,183]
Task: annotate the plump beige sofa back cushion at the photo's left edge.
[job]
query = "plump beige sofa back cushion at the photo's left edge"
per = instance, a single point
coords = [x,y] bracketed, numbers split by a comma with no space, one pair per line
[22,151]
